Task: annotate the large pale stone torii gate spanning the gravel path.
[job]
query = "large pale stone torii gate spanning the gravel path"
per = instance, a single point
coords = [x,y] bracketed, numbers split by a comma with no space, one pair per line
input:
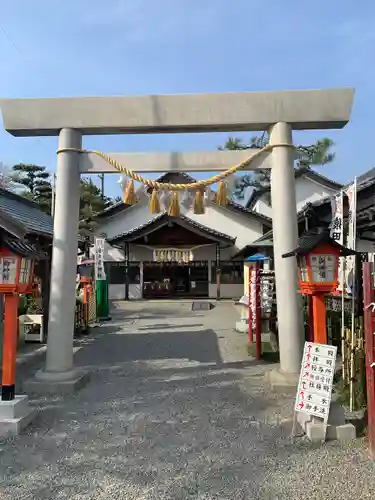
[72,118]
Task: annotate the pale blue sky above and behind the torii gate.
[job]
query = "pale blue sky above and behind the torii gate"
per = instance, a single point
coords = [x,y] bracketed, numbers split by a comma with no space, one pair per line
[93,47]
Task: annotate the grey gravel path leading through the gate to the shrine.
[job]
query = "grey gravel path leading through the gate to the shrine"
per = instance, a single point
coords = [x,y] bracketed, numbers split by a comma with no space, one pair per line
[174,410]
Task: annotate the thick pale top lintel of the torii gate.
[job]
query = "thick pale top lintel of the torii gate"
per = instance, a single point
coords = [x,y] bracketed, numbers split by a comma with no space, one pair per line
[224,112]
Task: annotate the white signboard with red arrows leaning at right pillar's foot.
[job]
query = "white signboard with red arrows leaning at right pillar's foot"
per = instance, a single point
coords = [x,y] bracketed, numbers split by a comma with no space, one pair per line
[316,379]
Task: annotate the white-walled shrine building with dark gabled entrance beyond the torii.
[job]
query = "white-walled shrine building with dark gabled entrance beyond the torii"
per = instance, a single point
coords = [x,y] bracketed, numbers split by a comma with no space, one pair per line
[191,256]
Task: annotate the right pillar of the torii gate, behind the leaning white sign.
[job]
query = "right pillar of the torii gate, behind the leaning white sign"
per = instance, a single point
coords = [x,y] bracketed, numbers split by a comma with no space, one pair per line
[285,238]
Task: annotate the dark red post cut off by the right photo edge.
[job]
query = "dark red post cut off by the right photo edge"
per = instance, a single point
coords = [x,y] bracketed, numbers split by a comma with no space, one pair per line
[368,298]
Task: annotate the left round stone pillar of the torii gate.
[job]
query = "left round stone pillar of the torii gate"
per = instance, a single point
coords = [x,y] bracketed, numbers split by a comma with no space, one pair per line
[59,365]
